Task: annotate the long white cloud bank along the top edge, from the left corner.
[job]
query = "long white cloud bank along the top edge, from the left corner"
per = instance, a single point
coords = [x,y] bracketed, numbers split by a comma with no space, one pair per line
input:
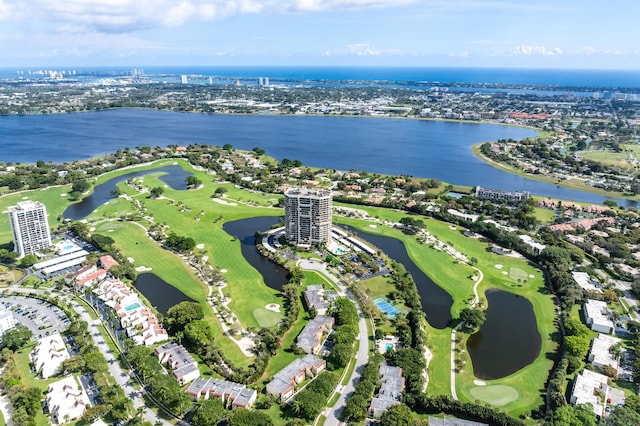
[131,15]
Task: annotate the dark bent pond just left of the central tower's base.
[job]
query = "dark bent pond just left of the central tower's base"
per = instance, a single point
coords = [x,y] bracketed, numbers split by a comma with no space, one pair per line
[244,230]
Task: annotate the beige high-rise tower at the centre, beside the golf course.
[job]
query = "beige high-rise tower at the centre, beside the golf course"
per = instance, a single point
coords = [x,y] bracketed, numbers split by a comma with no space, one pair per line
[307,216]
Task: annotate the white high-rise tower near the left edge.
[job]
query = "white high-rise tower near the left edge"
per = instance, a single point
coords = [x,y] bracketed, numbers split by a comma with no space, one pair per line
[30,227]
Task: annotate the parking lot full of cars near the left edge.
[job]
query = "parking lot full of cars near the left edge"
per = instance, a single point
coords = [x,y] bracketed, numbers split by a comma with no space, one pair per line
[41,317]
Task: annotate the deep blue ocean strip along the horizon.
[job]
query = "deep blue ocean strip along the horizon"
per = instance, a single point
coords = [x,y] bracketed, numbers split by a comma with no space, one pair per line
[565,78]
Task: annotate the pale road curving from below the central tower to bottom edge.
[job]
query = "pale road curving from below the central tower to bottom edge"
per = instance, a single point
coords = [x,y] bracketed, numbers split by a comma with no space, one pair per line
[362,356]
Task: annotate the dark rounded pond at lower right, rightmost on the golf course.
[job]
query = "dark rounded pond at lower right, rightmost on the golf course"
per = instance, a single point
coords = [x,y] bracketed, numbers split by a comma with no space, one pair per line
[508,340]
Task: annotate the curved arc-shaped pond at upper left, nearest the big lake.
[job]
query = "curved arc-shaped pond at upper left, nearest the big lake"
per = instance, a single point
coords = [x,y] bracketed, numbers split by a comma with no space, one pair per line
[175,177]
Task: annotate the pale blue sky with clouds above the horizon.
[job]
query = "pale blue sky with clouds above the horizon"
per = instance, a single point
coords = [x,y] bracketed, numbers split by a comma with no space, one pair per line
[492,33]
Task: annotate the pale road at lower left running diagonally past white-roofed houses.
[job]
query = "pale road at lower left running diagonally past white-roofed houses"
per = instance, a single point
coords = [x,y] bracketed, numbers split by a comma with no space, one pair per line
[121,376]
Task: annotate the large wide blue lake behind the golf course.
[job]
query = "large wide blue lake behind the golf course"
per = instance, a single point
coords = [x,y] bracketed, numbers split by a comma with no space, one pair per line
[433,149]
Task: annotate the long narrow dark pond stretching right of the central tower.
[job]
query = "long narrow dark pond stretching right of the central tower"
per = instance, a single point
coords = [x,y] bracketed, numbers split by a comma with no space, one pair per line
[436,302]
